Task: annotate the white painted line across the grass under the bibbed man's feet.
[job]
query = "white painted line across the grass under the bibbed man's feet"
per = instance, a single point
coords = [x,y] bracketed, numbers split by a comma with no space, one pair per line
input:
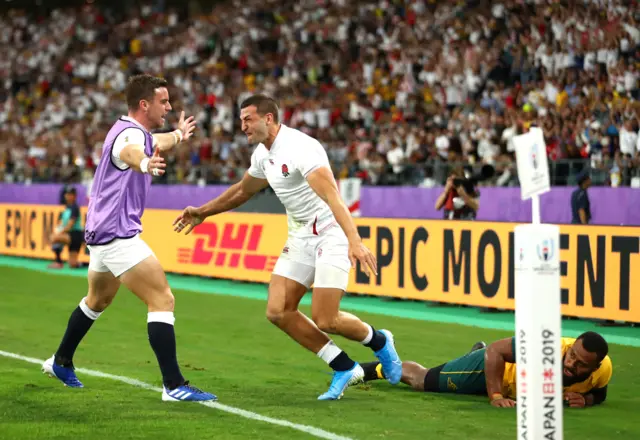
[316,432]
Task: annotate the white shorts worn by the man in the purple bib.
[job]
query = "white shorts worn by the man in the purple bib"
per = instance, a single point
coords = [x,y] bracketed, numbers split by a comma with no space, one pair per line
[118,256]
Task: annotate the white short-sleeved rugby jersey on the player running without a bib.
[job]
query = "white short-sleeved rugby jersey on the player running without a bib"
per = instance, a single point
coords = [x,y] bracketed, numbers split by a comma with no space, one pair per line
[286,165]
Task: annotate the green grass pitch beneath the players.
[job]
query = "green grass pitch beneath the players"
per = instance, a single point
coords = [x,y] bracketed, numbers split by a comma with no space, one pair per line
[226,346]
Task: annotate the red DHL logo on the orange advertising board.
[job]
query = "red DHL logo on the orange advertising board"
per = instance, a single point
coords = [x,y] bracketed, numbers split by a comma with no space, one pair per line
[237,239]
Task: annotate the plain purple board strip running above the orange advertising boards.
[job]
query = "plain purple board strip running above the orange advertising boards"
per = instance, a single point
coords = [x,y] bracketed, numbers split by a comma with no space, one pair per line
[609,206]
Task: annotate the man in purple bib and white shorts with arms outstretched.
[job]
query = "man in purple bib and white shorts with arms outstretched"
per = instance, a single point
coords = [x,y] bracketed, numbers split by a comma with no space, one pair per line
[117,253]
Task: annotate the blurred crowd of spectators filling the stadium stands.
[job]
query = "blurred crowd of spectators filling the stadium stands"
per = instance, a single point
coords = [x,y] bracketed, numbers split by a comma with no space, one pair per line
[398,92]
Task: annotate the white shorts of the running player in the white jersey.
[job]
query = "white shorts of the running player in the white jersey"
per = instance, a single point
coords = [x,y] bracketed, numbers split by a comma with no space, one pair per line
[321,260]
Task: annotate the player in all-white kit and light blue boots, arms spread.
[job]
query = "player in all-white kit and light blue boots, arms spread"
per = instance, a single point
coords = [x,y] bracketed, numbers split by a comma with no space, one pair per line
[322,247]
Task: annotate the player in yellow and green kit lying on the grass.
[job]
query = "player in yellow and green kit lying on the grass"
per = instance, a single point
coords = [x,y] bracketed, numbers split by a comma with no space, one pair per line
[491,371]
